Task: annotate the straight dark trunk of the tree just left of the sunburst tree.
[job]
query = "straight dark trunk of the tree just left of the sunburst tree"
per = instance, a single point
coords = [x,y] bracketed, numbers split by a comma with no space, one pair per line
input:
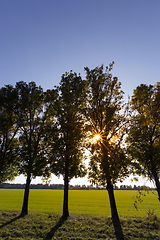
[65,201]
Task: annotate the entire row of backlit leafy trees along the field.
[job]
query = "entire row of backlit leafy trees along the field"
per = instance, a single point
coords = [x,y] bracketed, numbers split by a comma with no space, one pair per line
[48,132]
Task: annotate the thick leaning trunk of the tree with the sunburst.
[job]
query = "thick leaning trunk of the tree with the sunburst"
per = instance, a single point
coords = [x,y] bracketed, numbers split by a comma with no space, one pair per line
[114,213]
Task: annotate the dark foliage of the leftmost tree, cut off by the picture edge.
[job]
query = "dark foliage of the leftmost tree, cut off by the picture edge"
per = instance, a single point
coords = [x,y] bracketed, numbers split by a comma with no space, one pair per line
[8,129]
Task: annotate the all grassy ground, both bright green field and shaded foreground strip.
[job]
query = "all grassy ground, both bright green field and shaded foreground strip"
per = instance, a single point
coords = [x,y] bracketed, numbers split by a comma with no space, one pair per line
[90,216]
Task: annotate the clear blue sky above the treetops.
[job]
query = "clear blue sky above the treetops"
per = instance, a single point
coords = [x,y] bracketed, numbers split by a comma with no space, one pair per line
[40,40]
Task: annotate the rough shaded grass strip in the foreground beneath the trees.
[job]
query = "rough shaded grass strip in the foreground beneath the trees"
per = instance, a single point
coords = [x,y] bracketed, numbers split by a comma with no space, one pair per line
[52,226]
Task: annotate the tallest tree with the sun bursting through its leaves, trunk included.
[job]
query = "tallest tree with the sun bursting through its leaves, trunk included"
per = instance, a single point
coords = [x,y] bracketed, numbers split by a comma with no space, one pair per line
[107,123]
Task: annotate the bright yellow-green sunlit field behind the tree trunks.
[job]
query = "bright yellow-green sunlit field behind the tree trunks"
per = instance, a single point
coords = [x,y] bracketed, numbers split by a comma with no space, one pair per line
[91,202]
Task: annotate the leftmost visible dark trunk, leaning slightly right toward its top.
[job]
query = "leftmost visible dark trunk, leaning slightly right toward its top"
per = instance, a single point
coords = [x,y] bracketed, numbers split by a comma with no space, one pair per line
[26,197]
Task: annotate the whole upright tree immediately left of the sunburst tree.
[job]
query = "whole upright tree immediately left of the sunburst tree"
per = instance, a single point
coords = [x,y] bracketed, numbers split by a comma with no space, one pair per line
[67,154]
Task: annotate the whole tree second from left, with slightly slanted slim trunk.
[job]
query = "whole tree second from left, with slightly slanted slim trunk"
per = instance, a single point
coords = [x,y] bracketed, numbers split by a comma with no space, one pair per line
[34,121]
